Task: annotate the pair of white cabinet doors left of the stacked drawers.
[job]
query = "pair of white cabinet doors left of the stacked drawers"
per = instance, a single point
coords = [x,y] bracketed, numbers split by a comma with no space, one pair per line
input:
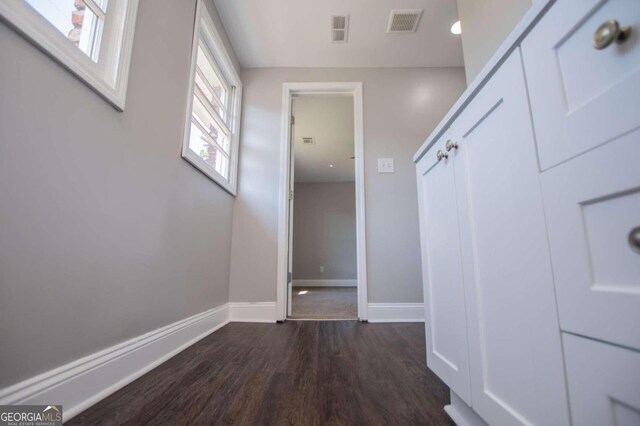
[487,272]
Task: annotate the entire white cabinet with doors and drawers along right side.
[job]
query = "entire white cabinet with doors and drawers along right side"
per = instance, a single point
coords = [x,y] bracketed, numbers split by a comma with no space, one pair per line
[541,244]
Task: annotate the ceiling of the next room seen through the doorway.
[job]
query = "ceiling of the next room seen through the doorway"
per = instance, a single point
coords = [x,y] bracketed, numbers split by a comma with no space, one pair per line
[329,120]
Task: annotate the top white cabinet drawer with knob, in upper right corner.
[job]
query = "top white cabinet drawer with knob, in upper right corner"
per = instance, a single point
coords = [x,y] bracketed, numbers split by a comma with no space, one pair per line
[582,97]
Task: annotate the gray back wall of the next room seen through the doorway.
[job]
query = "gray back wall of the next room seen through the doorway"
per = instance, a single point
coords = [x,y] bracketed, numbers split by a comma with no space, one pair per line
[324,231]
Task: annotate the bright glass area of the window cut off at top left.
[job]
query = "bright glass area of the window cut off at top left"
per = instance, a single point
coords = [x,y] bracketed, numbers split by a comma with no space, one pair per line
[75,21]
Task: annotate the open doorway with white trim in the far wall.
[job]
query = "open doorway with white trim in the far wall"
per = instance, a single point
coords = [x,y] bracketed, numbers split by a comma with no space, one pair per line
[319,265]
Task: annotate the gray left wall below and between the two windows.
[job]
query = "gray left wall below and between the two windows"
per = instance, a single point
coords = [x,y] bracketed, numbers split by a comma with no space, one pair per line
[105,232]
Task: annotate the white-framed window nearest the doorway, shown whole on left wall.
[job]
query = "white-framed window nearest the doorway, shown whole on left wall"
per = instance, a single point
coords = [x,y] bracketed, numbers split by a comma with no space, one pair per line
[213,116]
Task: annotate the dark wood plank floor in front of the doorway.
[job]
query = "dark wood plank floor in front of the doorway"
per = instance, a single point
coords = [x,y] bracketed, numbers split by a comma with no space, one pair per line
[297,373]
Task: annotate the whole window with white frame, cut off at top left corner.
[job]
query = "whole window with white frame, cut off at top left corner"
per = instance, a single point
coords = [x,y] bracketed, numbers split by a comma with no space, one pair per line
[91,38]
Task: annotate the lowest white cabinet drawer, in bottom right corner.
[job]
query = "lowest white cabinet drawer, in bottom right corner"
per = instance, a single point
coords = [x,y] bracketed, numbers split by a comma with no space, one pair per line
[604,383]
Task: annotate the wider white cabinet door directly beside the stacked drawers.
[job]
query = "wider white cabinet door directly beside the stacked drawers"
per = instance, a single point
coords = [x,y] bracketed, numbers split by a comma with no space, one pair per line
[515,354]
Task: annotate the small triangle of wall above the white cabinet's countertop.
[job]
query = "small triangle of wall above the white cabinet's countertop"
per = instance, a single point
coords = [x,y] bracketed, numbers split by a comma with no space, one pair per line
[485,25]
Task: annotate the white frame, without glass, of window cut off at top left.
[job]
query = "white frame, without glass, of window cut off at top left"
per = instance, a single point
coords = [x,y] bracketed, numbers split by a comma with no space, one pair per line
[109,76]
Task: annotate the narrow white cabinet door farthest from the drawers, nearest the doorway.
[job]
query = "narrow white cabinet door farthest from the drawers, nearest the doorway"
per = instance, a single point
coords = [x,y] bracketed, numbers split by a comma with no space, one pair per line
[445,320]
